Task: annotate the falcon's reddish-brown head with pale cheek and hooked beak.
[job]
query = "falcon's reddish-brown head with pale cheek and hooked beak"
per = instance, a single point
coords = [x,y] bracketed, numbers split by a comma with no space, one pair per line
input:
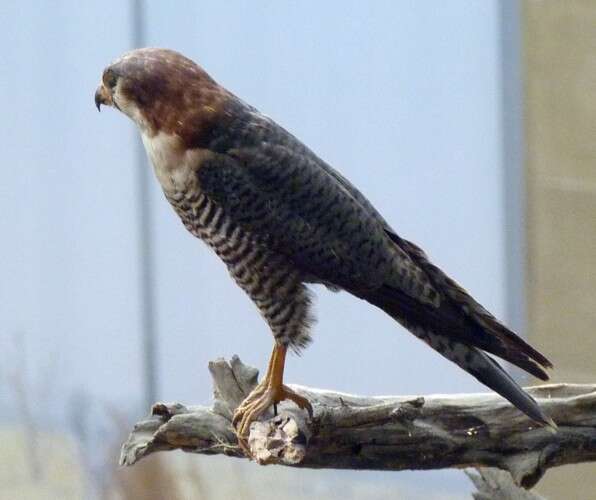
[161,91]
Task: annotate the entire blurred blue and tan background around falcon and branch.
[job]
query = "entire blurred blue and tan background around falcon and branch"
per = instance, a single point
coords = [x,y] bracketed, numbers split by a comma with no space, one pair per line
[469,124]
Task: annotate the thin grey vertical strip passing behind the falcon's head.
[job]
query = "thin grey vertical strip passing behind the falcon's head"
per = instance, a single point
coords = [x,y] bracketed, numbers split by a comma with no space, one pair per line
[146,260]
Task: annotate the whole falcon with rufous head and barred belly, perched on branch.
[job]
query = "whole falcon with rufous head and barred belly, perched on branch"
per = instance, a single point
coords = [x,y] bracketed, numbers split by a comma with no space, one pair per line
[280,218]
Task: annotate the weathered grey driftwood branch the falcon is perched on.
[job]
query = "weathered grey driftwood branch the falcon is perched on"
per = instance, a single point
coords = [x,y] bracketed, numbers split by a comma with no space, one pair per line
[380,433]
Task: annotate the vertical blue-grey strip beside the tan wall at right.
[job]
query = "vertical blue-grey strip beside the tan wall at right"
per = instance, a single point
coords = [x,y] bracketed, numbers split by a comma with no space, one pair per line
[511,46]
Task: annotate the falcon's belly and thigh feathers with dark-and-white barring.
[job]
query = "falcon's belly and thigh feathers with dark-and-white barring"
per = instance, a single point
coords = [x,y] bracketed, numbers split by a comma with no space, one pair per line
[269,278]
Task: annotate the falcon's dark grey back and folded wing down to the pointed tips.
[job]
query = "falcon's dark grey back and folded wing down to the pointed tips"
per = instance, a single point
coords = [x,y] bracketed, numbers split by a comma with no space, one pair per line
[284,194]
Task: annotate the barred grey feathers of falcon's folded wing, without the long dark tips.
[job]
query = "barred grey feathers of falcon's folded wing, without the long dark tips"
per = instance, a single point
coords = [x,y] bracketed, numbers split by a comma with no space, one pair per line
[294,204]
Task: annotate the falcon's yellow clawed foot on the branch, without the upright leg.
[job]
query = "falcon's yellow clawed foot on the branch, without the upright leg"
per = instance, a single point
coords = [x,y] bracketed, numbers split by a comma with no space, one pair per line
[258,401]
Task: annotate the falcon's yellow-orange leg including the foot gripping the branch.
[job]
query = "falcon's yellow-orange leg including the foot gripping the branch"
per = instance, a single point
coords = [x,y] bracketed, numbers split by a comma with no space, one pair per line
[270,391]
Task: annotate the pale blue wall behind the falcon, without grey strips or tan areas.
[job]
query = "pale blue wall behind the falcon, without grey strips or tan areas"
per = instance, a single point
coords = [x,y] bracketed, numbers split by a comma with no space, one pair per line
[404,97]
